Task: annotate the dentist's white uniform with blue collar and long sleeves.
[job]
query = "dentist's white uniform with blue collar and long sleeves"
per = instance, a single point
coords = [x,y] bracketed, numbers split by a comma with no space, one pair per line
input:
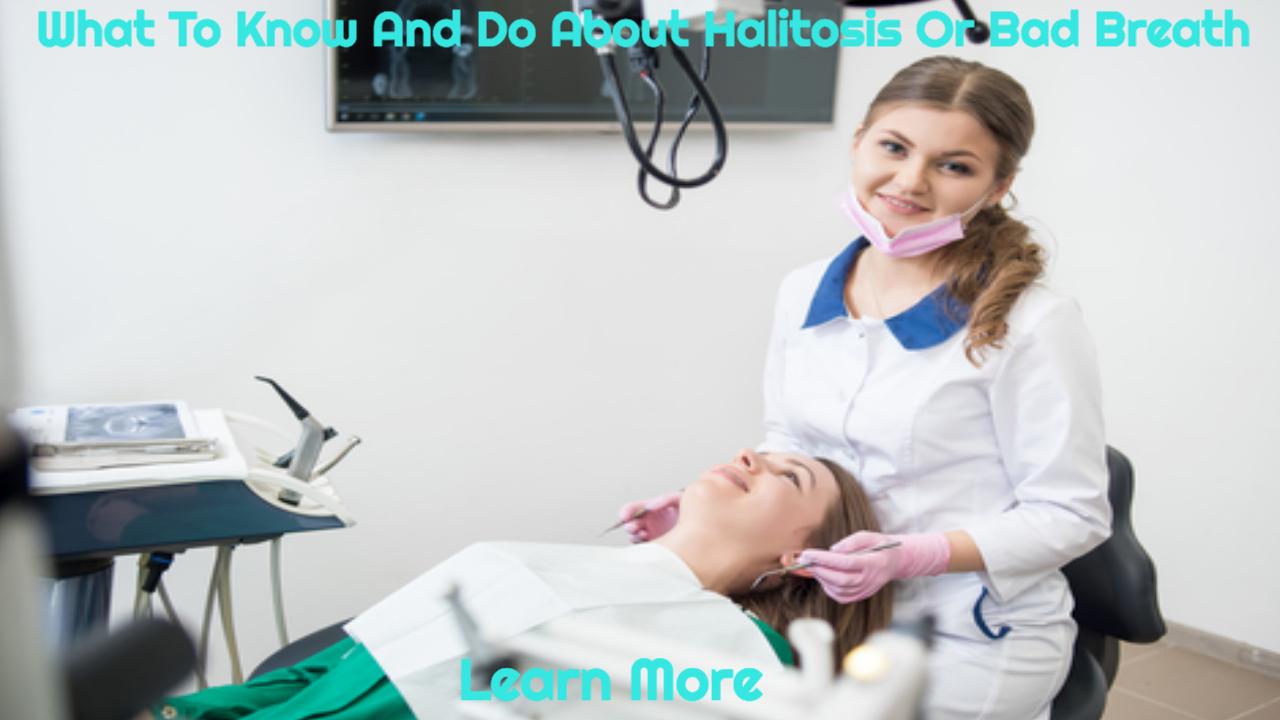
[1013,453]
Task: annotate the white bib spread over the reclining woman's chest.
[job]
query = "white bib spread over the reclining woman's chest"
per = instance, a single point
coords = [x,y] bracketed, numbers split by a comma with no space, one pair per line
[514,587]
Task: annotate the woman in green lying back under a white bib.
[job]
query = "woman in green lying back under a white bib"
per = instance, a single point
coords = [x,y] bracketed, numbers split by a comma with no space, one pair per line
[692,586]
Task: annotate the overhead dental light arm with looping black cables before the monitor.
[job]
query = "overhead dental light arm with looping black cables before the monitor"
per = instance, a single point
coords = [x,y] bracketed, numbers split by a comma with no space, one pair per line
[644,62]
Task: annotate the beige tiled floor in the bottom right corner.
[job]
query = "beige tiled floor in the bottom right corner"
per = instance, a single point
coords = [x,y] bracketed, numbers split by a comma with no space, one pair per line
[1163,682]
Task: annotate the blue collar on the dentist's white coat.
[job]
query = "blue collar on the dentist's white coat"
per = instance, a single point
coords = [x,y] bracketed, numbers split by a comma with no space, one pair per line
[920,327]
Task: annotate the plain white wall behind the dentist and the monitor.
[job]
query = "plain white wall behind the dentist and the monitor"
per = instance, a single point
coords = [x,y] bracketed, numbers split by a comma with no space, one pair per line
[524,345]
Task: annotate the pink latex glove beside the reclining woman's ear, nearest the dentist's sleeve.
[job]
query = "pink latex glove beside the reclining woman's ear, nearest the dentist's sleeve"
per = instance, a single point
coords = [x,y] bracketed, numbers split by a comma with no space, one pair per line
[849,578]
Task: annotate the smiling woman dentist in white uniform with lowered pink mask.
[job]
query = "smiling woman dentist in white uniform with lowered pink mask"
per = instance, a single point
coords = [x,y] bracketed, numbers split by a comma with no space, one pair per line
[963,394]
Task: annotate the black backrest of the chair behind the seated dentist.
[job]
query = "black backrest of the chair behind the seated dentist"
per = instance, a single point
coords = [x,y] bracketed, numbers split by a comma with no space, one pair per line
[1116,585]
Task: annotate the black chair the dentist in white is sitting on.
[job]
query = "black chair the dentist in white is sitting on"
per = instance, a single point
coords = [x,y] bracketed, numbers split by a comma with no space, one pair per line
[1116,600]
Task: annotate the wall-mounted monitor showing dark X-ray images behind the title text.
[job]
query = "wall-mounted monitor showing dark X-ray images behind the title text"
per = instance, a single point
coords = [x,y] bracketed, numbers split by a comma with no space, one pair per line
[548,88]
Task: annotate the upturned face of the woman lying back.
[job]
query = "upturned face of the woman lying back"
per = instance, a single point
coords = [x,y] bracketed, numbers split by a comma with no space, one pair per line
[770,504]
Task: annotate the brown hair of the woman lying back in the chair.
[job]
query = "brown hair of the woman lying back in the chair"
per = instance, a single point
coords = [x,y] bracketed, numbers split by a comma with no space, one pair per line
[781,603]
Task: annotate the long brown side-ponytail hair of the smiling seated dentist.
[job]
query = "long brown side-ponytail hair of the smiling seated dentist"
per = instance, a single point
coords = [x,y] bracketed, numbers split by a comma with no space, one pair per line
[998,261]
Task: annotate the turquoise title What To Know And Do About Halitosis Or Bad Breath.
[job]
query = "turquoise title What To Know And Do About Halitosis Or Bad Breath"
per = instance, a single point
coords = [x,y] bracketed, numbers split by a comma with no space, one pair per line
[776,29]
